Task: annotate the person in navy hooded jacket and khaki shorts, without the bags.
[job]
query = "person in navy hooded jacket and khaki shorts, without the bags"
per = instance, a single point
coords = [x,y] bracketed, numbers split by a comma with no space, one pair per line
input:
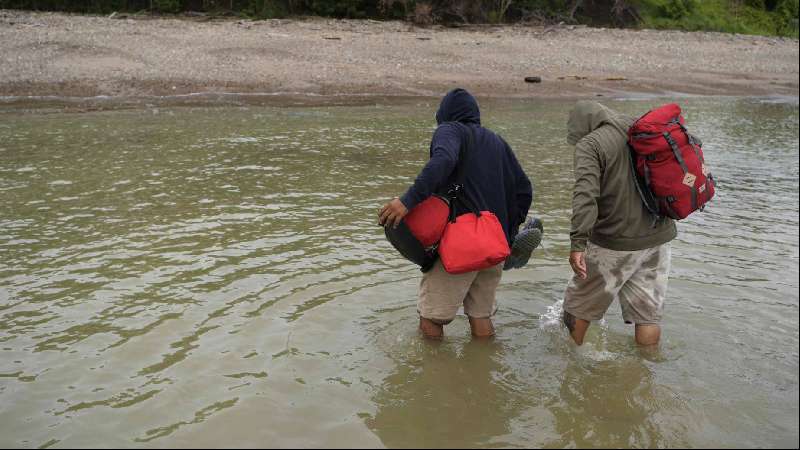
[494,181]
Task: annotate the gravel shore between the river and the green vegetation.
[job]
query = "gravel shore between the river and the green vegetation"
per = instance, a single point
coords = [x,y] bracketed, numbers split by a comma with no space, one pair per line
[50,54]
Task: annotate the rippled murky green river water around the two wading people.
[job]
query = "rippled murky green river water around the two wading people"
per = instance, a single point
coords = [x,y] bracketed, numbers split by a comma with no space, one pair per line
[214,276]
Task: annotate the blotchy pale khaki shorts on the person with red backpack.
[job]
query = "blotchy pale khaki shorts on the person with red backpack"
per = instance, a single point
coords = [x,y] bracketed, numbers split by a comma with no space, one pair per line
[638,278]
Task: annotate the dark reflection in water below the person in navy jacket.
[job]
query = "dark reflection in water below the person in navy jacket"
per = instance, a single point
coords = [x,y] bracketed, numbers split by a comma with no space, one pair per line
[446,396]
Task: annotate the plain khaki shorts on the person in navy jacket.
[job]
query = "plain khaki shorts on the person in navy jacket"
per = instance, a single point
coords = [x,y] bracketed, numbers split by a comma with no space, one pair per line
[442,293]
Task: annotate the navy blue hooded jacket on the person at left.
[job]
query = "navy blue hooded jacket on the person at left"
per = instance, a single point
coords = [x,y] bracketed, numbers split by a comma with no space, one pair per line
[494,179]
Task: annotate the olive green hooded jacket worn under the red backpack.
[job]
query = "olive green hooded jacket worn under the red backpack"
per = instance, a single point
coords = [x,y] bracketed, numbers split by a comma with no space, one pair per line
[606,207]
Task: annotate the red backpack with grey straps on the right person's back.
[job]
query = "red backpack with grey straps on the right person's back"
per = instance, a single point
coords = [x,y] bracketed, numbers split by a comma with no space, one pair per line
[673,179]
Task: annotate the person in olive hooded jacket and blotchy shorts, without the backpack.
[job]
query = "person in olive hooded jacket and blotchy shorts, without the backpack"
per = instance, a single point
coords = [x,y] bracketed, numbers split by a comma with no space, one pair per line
[617,248]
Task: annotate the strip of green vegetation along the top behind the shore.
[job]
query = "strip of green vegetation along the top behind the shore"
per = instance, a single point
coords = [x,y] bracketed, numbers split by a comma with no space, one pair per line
[767,17]
